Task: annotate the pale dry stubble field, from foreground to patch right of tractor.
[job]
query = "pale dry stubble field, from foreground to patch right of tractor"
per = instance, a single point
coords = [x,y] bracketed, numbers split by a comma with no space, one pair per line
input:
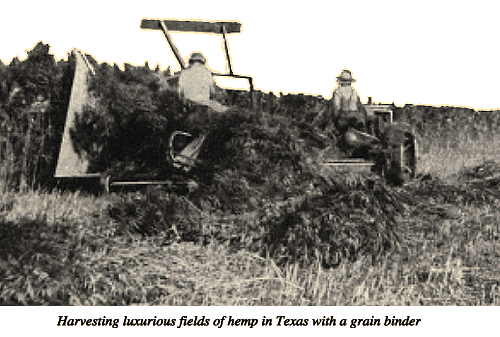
[69,249]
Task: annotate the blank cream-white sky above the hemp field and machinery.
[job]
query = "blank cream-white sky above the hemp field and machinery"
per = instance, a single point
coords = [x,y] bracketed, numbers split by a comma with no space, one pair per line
[438,53]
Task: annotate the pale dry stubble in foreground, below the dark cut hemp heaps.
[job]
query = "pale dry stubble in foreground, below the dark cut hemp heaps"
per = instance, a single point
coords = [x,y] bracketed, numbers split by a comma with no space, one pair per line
[445,262]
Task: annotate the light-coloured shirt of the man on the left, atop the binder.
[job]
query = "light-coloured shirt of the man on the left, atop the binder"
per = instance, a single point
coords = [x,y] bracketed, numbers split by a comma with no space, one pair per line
[196,83]
